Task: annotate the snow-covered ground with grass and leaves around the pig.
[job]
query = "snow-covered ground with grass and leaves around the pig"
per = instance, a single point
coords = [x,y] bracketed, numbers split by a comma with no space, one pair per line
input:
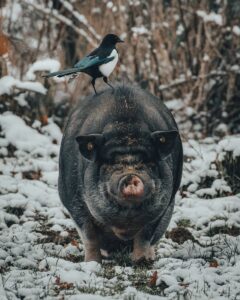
[41,256]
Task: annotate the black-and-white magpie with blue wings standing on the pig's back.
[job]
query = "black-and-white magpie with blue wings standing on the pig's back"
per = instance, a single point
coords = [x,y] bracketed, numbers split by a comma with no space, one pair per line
[99,63]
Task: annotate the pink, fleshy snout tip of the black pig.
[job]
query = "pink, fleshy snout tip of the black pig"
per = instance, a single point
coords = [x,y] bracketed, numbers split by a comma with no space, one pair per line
[131,186]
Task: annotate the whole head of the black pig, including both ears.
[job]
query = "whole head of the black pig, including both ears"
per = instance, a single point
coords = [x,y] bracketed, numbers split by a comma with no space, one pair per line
[126,176]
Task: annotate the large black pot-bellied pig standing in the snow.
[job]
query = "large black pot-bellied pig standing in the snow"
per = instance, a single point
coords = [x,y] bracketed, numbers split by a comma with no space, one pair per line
[120,189]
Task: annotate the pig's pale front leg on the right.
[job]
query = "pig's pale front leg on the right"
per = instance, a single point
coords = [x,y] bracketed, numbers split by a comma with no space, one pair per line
[142,250]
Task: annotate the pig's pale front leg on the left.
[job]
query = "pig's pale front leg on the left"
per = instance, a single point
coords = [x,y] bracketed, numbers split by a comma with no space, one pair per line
[90,241]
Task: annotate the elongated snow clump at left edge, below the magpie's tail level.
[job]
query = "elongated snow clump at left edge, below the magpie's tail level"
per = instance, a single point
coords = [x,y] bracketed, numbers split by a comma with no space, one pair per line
[8,83]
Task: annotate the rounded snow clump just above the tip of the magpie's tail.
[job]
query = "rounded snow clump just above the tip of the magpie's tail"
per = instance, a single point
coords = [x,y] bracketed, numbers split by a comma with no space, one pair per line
[48,64]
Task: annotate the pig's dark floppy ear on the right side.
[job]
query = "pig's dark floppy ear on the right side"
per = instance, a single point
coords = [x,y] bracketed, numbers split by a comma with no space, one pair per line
[164,141]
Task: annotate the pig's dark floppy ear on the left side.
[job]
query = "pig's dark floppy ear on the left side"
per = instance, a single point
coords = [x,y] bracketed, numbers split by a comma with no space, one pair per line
[89,145]
